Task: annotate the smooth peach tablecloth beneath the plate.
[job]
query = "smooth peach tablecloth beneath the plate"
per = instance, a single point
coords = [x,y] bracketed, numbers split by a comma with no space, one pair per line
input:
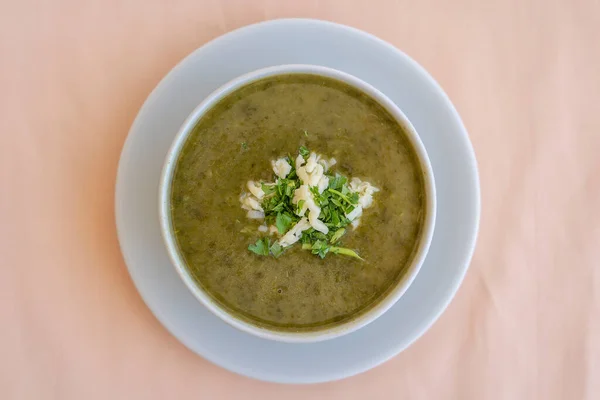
[525,76]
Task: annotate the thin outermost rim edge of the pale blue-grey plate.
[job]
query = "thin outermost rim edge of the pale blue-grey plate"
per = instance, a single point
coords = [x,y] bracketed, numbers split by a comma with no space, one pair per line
[472,162]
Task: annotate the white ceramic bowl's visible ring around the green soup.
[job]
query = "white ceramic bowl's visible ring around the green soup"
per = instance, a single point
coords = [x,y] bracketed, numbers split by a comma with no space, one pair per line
[179,263]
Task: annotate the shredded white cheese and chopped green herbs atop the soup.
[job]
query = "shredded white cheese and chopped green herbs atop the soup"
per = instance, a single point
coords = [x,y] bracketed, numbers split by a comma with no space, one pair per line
[306,205]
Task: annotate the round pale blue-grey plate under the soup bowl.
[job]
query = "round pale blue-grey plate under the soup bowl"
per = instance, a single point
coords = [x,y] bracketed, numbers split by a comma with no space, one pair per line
[298,41]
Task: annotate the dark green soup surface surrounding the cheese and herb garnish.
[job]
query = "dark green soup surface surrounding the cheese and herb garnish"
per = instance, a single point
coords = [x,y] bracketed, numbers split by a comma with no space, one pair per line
[236,141]
